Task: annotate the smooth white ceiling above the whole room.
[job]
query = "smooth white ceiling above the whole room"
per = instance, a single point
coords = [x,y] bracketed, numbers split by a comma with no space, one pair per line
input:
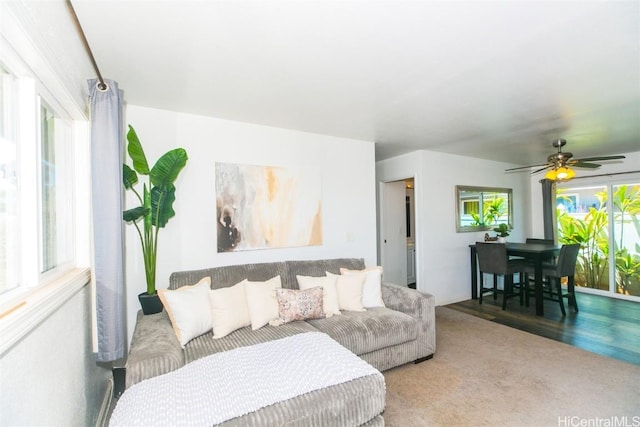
[488,79]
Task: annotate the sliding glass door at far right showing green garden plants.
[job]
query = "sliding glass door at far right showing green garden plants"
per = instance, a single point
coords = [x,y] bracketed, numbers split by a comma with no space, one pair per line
[605,220]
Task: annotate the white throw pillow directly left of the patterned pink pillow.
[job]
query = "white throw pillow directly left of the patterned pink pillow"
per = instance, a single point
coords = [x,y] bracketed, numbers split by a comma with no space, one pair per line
[262,301]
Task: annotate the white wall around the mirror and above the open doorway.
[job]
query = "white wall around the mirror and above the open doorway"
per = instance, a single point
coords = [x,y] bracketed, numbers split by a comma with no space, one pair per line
[442,254]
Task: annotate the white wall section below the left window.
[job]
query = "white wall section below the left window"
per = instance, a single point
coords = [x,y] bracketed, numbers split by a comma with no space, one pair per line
[50,377]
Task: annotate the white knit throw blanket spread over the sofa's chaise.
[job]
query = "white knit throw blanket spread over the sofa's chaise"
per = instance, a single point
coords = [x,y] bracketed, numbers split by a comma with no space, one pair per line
[233,383]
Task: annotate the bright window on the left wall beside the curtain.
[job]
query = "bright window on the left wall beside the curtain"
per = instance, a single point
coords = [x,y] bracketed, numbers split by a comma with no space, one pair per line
[36,191]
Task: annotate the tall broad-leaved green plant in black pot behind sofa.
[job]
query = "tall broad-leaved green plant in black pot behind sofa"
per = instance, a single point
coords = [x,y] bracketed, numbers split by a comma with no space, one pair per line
[156,207]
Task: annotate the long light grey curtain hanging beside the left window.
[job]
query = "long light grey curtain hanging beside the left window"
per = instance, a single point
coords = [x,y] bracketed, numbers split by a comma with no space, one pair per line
[107,151]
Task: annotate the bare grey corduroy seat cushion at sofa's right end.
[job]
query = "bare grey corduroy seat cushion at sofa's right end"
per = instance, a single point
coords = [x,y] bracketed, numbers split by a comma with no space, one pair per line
[366,331]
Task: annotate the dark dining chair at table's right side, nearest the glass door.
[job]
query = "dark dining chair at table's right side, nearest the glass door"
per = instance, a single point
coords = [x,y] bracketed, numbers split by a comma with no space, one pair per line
[564,266]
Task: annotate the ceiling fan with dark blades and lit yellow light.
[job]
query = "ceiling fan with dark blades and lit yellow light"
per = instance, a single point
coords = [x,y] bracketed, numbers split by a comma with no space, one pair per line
[560,163]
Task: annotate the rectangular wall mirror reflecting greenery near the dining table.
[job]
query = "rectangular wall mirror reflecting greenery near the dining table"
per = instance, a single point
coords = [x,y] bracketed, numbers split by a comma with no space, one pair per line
[482,208]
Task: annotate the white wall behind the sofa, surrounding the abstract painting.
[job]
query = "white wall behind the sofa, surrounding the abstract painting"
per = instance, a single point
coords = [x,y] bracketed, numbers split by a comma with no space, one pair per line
[347,168]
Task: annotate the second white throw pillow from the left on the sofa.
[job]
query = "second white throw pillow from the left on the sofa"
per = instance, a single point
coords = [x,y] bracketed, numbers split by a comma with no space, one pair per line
[229,309]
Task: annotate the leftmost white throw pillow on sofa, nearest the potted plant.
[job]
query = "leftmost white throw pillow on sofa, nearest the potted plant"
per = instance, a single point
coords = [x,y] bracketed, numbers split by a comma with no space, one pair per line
[189,309]
